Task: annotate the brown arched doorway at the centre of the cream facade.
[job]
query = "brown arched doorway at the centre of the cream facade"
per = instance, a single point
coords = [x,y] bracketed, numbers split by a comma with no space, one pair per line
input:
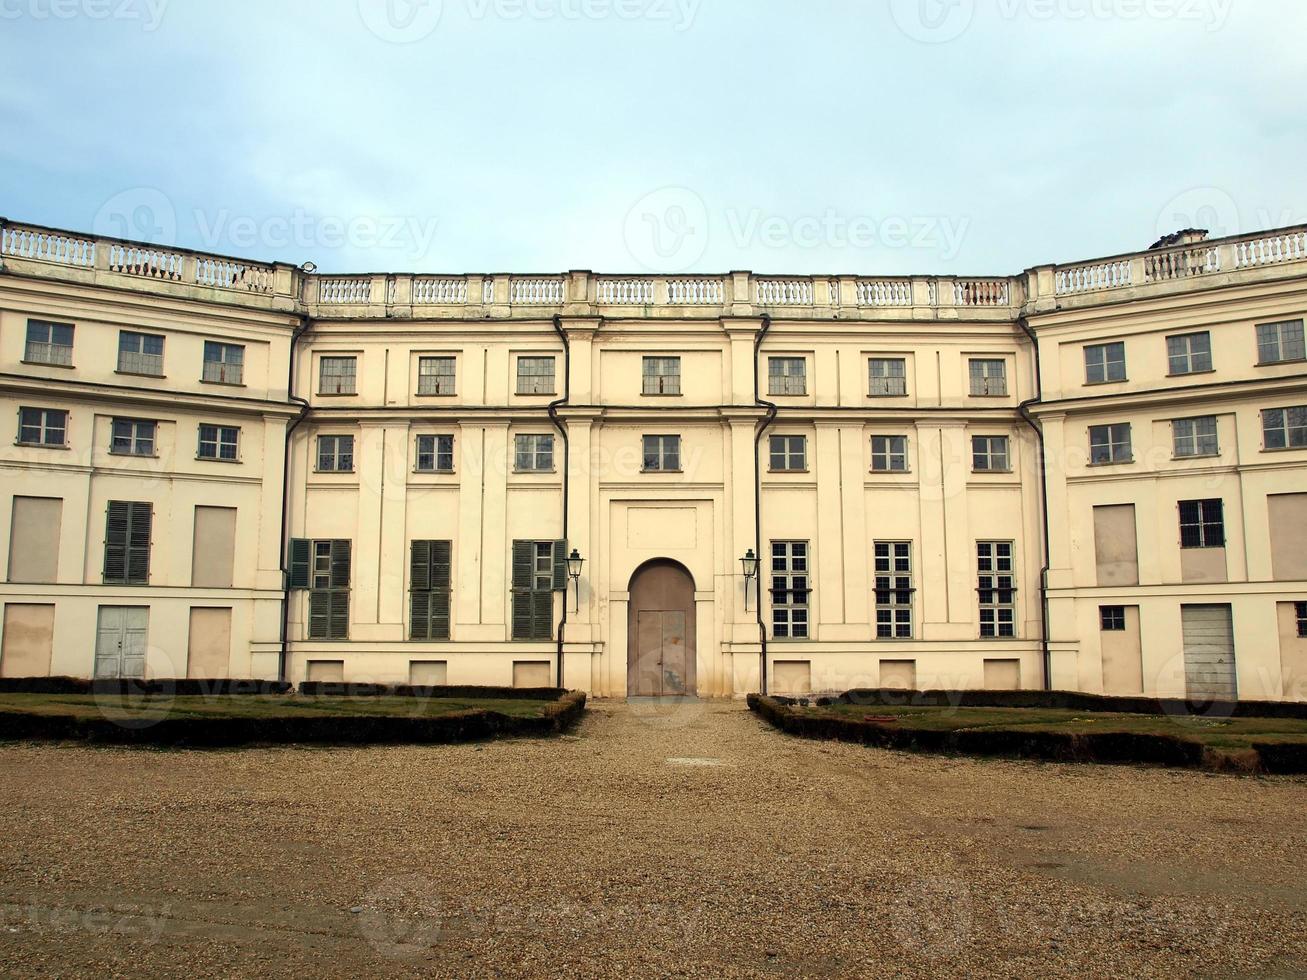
[661,651]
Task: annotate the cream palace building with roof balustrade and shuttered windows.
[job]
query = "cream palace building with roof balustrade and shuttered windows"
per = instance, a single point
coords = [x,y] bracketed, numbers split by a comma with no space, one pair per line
[1087,478]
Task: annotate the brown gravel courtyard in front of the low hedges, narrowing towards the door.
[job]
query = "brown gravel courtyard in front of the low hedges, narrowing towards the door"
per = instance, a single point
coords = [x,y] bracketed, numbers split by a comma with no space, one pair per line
[655,841]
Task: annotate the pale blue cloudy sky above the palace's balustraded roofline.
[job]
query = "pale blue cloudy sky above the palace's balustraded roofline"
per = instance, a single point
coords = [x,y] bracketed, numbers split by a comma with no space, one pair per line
[807,137]
